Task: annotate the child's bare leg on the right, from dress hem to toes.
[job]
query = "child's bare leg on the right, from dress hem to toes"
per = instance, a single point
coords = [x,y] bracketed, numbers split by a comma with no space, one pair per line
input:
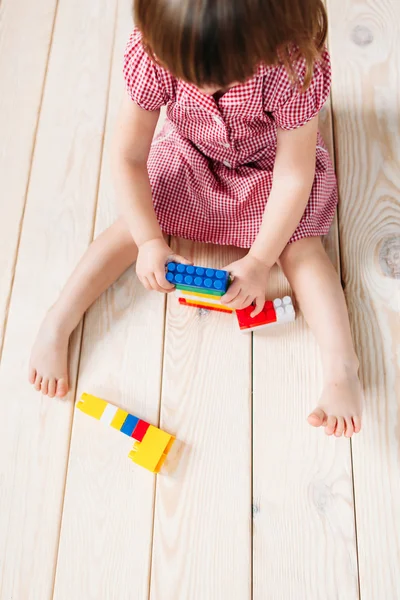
[319,293]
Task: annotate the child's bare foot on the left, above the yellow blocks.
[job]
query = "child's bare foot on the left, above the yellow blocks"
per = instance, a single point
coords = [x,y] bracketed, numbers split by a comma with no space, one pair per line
[48,369]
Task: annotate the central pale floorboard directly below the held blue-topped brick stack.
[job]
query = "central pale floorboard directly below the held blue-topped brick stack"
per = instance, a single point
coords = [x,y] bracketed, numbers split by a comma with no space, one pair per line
[202,532]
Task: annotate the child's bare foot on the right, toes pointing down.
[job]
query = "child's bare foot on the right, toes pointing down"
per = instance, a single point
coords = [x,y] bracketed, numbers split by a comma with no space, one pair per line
[340,407]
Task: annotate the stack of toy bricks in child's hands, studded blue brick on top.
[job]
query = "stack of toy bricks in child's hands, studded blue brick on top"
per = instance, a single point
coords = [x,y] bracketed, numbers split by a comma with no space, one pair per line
[198,286]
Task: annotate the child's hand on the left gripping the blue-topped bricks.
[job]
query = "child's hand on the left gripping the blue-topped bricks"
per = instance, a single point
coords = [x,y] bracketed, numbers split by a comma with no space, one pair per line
[150,265]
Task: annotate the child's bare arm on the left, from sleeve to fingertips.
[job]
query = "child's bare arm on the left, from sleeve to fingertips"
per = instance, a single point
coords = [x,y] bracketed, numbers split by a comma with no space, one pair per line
[132,141]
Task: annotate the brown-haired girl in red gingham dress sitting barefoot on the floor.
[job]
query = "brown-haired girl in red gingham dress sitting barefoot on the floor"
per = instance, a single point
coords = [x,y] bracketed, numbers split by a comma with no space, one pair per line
[239,162]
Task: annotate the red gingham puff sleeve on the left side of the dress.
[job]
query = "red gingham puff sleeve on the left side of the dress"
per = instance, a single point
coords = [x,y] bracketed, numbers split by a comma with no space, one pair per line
[142,80]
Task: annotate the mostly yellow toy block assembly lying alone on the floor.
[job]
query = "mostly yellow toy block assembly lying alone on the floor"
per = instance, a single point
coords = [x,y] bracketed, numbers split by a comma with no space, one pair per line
[151,445]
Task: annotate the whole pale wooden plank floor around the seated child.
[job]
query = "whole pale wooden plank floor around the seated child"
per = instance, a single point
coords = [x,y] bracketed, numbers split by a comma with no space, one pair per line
[259,506]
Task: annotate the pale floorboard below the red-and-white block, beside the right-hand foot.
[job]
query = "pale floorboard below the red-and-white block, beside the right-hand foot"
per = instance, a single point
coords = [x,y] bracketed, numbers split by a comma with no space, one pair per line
[304,531]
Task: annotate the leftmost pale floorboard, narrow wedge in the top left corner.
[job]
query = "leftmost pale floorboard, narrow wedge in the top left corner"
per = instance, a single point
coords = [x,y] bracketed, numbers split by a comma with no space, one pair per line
[25,36]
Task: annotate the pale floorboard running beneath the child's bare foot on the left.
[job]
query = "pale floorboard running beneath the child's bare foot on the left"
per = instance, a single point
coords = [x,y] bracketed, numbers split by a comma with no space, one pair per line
[35,431]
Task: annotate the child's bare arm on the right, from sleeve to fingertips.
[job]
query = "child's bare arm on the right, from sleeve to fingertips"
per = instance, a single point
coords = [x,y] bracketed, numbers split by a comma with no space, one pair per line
[293,178]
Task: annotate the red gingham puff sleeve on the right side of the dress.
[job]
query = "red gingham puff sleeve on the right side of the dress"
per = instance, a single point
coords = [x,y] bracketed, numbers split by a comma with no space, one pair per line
[294,107]
